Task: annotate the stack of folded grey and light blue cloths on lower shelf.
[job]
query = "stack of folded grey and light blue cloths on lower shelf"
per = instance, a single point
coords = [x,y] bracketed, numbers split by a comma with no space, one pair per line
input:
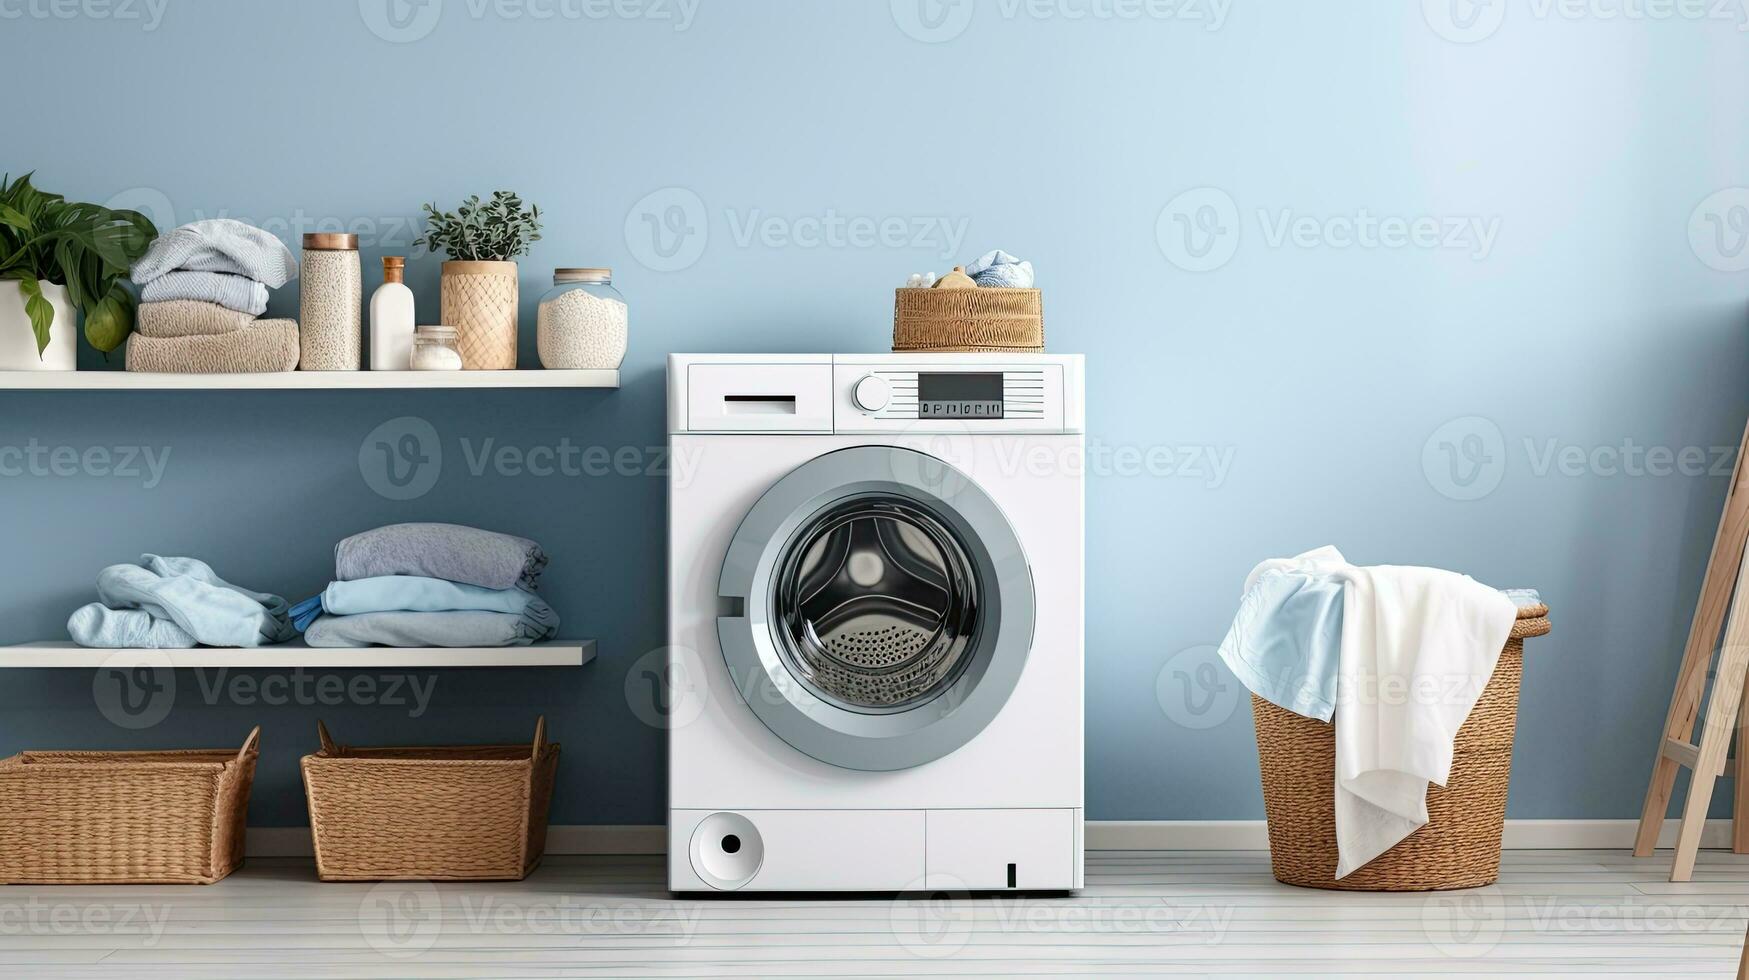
[431,585]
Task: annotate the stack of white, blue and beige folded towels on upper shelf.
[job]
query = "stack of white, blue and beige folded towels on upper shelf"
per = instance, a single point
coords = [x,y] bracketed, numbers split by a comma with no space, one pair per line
[202,290]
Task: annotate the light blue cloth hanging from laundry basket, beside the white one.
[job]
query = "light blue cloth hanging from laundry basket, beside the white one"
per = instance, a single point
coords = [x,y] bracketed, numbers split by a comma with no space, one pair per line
[1286,640]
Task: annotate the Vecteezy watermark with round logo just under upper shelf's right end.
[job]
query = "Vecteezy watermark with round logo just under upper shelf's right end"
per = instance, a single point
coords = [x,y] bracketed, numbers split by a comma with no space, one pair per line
[403,459]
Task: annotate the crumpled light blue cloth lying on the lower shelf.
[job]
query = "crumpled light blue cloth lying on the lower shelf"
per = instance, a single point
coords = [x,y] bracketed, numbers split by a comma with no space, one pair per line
[178,603]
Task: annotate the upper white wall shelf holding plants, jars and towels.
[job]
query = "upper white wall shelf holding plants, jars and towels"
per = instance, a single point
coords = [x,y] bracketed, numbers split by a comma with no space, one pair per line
[298,381]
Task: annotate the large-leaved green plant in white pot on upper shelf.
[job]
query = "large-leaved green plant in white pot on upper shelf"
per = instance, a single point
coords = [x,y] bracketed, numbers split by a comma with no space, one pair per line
[60,260]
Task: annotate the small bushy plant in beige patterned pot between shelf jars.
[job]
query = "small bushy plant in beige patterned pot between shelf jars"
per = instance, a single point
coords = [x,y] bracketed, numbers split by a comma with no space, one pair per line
[478,286]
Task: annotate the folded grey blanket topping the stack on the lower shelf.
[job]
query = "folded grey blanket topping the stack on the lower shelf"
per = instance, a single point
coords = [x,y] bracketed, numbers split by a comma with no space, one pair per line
[442,552]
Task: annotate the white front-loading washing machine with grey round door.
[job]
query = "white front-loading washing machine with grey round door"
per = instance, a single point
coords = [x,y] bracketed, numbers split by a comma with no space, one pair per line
[875,596]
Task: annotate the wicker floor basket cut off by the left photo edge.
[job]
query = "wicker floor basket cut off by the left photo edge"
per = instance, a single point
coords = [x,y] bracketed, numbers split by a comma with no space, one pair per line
[125,818]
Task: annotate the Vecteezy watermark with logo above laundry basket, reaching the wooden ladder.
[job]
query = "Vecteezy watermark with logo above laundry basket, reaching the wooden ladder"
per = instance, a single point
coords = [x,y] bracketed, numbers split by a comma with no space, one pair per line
[1467,459]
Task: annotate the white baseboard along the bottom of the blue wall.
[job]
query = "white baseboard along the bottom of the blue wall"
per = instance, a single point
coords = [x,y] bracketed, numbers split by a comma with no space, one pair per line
[1101,836]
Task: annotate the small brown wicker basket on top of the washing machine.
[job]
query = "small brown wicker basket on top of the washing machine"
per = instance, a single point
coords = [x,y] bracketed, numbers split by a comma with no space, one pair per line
[968,319]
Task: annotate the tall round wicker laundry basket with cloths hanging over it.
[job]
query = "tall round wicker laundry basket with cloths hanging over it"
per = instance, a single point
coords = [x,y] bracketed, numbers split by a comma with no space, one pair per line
[1461,843]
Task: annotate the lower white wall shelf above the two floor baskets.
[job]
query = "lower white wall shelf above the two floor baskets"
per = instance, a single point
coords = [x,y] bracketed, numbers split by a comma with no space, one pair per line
[66,654]
